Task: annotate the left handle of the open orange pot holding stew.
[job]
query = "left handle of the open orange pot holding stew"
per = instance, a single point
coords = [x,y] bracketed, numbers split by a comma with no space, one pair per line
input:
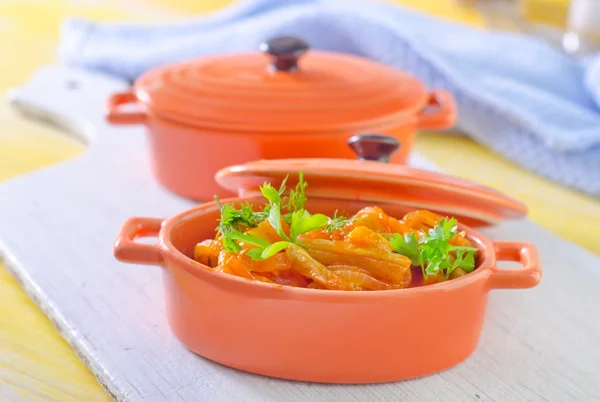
[128,250]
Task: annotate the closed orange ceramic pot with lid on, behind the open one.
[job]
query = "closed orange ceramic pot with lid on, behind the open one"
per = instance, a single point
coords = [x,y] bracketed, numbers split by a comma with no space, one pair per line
[203,115]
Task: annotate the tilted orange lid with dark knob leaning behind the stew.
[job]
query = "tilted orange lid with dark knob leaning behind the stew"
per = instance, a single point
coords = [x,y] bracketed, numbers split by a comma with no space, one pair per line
[371,179]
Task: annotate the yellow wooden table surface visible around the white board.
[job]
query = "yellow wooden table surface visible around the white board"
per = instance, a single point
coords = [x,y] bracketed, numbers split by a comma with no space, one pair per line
[35,363]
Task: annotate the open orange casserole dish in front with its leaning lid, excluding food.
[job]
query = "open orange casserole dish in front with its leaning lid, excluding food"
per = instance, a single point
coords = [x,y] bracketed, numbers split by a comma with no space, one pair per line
[333,336]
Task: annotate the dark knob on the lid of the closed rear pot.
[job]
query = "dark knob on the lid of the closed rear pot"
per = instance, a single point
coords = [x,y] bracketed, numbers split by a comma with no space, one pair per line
[284,52]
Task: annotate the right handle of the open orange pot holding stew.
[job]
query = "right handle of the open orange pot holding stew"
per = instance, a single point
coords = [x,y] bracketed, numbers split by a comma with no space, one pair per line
[526,277]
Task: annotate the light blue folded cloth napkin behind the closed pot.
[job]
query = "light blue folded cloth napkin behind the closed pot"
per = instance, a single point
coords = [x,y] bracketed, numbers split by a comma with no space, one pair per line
[516,95]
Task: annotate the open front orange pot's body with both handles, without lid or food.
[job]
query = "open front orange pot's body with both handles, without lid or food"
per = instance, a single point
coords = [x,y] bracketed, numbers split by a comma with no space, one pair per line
[320,335]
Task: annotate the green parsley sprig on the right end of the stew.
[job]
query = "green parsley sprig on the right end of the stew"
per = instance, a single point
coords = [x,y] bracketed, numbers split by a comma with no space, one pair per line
[433,252]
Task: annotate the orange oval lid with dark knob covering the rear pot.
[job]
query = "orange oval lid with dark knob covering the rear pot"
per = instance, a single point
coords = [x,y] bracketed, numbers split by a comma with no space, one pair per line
[283,87]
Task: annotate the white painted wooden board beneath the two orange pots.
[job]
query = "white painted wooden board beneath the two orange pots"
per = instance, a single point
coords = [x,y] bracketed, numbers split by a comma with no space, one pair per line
[57,228]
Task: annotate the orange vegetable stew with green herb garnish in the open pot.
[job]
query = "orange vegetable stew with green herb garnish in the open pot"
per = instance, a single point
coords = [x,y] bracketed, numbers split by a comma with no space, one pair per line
[283,243]
